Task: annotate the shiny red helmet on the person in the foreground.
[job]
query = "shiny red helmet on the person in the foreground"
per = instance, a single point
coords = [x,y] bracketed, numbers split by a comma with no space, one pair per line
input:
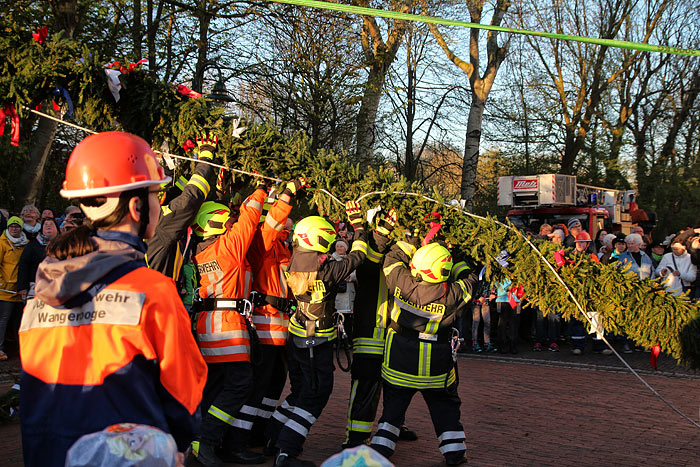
[109,163]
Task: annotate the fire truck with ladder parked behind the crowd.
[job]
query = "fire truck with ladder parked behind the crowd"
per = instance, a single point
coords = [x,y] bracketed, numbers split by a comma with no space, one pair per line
[555,199]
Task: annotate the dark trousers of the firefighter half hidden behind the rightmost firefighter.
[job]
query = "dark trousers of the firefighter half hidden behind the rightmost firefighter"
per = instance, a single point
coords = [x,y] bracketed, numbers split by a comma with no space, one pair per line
[365,391]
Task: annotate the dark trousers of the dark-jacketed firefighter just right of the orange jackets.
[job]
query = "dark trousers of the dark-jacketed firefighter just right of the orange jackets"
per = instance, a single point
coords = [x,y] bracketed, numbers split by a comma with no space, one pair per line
[311,384]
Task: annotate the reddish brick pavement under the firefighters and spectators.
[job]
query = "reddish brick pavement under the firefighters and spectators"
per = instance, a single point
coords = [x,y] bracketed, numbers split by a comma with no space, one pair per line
[520,411]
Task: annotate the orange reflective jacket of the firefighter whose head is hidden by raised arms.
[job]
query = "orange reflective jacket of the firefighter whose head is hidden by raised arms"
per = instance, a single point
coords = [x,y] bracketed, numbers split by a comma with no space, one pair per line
[269,257]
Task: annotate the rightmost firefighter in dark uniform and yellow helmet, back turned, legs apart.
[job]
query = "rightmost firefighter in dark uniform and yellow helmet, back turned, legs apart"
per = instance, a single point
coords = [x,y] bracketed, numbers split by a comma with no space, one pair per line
[420,350]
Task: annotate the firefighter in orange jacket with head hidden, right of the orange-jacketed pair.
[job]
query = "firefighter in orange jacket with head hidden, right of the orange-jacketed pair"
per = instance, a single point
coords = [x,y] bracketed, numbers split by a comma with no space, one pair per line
[269,258]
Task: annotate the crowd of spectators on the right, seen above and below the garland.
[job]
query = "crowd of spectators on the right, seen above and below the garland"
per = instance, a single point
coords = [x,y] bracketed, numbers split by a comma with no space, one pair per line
[673,260]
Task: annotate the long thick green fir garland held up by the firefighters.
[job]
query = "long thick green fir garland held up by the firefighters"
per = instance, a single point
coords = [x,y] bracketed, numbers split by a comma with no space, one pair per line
[150,108]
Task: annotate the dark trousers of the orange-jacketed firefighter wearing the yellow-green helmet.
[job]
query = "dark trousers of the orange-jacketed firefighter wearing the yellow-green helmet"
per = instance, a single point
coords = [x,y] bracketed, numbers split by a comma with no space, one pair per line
[228,386]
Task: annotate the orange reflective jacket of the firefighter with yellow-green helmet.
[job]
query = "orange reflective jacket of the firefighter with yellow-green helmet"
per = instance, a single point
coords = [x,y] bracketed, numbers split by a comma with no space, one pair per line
[225,273]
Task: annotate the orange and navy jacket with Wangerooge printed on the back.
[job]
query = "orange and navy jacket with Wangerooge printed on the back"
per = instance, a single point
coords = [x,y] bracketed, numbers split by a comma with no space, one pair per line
[127,355]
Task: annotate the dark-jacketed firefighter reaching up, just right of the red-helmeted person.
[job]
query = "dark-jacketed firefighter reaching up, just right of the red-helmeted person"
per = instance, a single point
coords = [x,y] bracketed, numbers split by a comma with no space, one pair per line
[168,247]
